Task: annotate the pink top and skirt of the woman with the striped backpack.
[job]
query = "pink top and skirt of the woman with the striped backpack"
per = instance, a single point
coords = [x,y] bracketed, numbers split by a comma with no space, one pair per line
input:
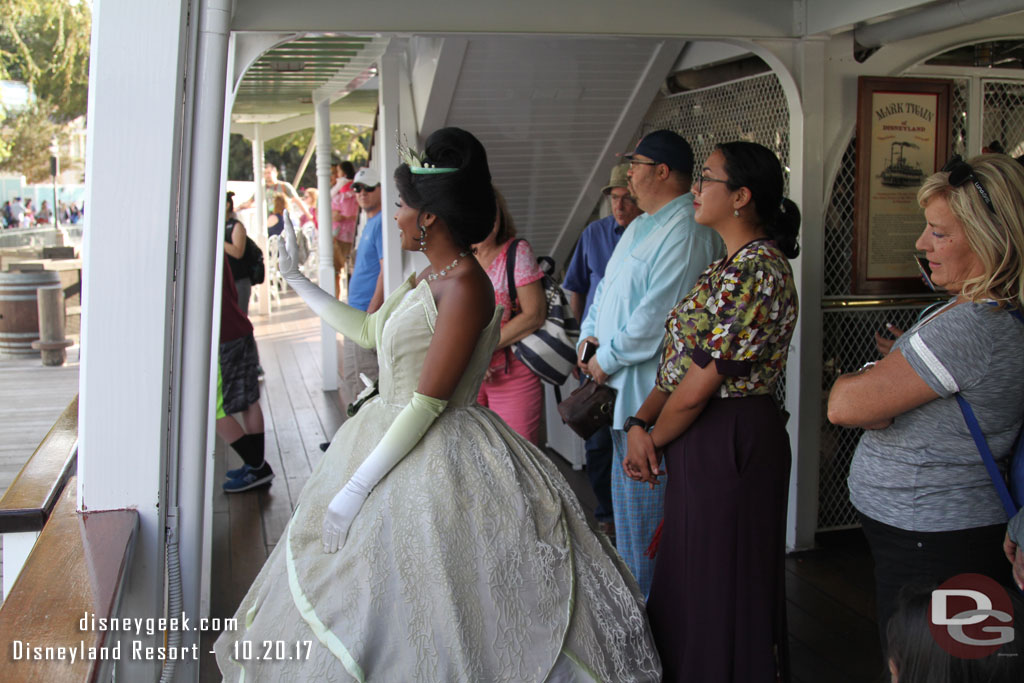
[514,392]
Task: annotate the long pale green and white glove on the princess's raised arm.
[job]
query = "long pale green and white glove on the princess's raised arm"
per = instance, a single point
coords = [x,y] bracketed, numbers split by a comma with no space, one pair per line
[356,325]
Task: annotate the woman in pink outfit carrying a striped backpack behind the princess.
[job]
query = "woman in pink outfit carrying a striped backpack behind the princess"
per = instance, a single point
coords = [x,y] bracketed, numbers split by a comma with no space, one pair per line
[510,389]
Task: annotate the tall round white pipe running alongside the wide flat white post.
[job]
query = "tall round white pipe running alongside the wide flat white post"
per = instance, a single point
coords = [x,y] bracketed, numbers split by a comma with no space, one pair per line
[200,306]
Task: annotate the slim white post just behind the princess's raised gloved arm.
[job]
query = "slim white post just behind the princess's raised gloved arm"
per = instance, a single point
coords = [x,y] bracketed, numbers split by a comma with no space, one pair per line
[329,338]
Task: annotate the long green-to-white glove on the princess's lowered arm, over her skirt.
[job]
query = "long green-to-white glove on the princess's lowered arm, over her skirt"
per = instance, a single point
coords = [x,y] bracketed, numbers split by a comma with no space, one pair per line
[405,433]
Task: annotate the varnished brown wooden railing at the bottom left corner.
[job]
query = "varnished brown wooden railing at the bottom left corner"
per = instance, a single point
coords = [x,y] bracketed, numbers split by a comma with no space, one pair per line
[75,567]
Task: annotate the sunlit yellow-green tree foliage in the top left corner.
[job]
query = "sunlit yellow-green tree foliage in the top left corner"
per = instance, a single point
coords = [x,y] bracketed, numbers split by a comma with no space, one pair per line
[46,44]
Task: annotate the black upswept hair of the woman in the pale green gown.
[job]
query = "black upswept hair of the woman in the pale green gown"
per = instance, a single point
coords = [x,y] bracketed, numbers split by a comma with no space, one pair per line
[463,199]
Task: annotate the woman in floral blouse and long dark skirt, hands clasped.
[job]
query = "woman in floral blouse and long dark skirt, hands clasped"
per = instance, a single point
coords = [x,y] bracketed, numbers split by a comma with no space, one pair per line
[717,606]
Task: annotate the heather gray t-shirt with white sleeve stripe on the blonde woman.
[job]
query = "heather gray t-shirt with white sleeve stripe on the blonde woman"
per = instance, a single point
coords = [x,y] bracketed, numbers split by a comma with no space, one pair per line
[924,473]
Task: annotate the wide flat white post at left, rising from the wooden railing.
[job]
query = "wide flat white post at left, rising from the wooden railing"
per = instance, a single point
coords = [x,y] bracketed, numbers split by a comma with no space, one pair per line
[130,282]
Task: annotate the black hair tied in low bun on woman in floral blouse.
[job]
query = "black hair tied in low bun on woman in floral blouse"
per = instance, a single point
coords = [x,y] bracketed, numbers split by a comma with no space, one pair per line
[756,167]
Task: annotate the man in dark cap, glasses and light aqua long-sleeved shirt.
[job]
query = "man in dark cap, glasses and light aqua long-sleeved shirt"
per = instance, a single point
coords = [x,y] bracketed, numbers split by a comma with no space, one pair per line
[657,262]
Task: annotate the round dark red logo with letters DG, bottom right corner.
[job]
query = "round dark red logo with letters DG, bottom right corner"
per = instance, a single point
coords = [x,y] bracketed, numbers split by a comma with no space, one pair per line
[971,617]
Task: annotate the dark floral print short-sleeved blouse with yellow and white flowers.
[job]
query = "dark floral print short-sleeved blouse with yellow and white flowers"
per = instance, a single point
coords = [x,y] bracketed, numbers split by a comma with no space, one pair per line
[741,315]
